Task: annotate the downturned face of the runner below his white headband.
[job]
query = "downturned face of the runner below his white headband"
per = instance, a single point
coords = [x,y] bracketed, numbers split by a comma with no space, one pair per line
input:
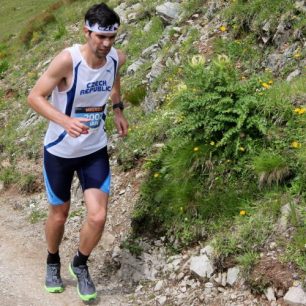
[100,44]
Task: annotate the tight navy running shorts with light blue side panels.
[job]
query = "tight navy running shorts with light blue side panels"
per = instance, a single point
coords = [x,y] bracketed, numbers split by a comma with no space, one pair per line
[93,172]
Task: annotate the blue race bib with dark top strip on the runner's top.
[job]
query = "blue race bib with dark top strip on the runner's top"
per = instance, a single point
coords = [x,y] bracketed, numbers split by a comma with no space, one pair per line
[94,113]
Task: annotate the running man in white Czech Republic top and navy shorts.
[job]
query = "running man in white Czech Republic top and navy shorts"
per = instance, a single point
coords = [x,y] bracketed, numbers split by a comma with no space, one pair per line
[81,79]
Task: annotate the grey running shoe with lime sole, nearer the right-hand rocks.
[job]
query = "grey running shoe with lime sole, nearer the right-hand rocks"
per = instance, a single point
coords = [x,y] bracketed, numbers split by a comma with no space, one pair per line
[86,288]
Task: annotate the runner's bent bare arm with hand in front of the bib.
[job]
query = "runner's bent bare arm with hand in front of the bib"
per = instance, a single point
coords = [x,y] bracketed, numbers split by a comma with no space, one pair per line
[57,71]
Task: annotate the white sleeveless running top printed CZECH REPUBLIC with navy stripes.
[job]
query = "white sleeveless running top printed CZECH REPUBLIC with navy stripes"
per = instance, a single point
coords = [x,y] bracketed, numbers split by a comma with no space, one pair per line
[87,97]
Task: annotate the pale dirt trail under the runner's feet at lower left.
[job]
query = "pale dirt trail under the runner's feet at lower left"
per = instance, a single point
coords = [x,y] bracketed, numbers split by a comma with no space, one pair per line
[22,264]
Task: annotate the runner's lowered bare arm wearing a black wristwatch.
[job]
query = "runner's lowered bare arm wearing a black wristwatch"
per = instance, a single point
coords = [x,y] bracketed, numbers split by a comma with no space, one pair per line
[120,121]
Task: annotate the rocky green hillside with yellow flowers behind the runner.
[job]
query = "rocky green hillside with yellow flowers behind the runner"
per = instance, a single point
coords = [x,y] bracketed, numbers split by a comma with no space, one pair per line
[215,158]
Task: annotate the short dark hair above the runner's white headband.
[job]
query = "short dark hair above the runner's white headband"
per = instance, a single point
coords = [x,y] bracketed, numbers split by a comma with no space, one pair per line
[102,15]
